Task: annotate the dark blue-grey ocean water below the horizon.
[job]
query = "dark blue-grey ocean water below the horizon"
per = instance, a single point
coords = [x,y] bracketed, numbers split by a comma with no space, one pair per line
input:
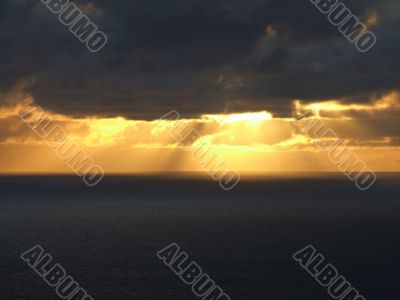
[107,237]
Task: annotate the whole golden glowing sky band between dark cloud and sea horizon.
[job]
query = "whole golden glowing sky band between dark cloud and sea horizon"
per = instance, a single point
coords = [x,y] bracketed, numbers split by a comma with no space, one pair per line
[248,142]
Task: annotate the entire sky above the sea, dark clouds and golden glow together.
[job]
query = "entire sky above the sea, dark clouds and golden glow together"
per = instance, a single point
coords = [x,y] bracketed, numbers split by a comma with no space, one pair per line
[238,72]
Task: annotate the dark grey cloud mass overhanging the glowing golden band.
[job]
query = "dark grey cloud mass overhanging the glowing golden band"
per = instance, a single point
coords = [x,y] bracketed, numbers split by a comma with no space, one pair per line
[197,56]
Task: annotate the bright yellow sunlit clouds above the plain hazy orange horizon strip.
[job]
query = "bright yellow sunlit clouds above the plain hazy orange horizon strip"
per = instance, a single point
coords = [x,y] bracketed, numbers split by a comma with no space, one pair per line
[359,124]
